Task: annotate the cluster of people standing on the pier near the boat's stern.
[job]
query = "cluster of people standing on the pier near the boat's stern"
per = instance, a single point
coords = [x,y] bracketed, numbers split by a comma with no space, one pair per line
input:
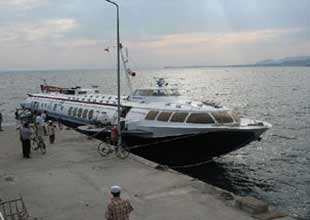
[40,129]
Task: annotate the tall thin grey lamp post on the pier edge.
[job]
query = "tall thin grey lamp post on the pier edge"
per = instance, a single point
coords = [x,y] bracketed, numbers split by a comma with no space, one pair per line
[118,72]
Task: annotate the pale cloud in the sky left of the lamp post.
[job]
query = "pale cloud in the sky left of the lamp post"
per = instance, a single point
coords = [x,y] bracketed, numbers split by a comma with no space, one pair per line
[24,34]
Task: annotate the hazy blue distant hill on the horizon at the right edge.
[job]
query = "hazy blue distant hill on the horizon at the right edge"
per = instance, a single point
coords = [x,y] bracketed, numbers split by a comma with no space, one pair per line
[287,61]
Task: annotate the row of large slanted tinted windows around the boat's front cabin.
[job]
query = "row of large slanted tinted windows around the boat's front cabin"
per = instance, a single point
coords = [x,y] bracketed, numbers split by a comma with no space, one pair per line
[199,118]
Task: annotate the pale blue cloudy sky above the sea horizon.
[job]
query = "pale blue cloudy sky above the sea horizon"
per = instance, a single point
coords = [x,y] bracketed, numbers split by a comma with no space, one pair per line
[70,34]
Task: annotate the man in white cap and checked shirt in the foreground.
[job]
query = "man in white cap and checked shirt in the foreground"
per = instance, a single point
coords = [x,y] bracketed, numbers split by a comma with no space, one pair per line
[118,208]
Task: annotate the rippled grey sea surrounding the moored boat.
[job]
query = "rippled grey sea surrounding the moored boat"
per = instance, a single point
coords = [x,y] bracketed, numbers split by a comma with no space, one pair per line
[277,169]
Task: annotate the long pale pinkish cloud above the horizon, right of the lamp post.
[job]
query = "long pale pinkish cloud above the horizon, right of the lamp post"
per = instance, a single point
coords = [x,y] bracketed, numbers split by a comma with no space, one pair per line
[217,48]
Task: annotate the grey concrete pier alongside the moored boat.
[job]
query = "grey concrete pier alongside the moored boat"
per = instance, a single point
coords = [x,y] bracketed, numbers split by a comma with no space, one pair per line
[72,181]
